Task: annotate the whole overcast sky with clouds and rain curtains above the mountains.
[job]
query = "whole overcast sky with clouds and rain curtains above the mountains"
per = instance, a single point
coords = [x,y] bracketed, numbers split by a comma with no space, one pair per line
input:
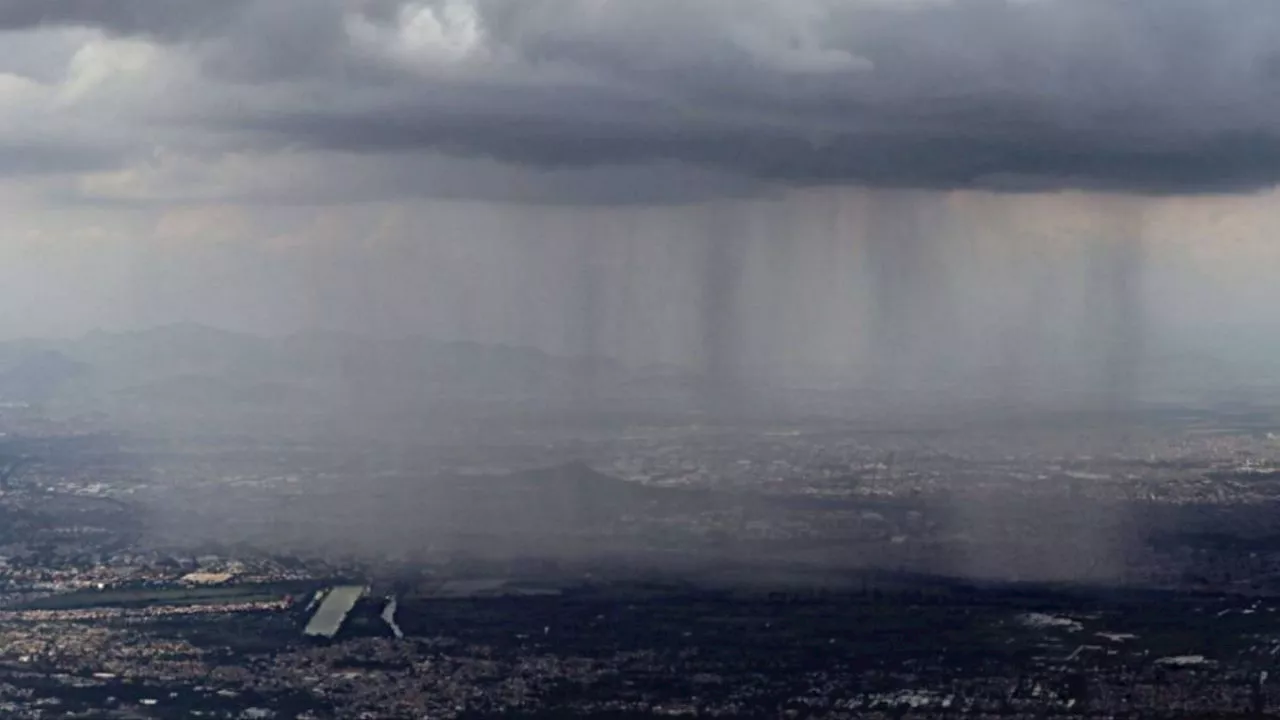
[556,172]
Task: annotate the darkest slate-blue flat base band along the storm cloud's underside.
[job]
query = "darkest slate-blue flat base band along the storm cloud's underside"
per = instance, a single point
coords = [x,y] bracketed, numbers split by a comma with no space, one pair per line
[1026,162]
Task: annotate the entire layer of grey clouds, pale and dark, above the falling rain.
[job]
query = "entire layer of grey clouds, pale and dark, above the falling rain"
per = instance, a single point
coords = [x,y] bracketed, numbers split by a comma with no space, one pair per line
[180,95]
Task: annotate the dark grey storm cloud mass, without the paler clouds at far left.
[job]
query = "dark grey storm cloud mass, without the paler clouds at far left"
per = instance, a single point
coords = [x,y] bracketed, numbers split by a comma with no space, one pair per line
[1012,95]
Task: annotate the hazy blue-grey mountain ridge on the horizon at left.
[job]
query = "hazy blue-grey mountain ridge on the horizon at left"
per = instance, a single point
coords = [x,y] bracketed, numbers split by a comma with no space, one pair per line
[198,370]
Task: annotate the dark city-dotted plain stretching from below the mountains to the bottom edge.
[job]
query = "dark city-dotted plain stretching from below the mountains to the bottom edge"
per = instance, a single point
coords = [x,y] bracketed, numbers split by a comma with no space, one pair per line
[807,569]
